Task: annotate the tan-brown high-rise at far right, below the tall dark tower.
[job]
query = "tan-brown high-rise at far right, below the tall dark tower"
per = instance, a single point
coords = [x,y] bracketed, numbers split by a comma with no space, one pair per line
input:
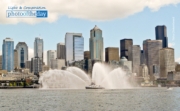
[166,61]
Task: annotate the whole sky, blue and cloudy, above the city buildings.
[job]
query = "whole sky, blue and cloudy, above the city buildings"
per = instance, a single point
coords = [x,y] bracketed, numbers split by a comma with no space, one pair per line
[118,19]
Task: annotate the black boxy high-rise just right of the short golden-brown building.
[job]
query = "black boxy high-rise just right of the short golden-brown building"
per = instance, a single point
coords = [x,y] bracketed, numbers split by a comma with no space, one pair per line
[124,45]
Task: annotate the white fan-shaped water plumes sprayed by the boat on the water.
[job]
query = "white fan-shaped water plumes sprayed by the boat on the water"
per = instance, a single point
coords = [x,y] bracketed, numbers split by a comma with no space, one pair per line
[75,78]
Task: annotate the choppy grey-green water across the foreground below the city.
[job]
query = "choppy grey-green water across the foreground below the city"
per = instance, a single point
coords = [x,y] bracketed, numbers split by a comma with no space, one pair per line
[144,99]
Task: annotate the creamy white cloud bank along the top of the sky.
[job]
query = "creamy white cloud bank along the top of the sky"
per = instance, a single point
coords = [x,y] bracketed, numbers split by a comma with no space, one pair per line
[95,10]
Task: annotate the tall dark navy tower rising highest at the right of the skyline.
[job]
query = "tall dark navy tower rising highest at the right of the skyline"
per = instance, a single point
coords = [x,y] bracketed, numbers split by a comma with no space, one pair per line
[161,34]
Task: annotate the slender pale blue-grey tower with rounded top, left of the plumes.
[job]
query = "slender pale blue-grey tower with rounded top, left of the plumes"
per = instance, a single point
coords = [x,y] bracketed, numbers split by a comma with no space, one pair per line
[38,47]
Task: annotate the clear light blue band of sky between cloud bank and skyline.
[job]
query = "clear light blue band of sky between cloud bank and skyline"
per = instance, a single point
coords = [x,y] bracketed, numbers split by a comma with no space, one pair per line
[135,26]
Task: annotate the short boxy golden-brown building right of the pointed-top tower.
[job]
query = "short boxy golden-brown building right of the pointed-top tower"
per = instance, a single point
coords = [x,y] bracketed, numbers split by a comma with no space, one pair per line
[111,53]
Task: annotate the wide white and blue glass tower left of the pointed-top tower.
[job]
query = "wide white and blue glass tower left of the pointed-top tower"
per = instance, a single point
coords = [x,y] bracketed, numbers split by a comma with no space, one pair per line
[74,44]
